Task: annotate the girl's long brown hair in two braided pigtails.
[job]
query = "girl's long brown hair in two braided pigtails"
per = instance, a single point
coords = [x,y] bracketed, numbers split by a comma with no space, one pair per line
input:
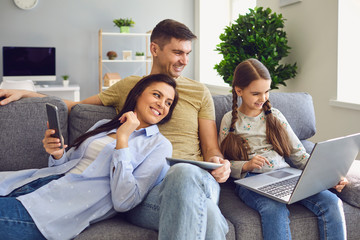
[234,146]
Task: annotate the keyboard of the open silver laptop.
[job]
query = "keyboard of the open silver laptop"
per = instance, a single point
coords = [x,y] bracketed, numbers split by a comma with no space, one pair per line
[282,188]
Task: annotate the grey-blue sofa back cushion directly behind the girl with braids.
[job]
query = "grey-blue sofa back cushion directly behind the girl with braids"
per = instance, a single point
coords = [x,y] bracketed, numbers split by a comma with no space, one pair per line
[297,108]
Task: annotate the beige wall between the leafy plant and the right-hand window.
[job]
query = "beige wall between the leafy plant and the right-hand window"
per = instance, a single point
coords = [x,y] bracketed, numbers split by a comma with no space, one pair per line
[312,32]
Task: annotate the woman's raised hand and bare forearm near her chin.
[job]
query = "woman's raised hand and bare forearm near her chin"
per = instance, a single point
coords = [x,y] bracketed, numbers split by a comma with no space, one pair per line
[130,123]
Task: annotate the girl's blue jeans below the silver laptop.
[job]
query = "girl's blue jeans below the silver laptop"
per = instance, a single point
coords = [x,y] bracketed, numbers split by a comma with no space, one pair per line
[275,220]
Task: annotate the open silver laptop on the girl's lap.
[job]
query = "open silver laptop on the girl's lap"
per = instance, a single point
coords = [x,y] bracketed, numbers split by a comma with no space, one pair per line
[329,161]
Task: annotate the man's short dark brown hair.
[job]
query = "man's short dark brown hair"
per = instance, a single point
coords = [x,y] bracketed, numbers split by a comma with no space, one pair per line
[167,29]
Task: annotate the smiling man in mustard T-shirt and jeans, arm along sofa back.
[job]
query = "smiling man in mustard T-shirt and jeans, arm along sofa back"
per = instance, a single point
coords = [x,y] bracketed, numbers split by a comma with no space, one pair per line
[184,205]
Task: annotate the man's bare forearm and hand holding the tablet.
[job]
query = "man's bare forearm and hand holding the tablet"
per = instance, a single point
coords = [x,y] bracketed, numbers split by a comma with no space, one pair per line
[211,151]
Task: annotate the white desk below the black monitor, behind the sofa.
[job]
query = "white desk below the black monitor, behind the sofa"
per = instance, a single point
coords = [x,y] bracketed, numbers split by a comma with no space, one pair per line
[72,92]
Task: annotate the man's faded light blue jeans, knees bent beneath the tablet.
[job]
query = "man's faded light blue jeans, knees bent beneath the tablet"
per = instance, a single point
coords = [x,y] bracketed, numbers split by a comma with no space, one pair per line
[183,206]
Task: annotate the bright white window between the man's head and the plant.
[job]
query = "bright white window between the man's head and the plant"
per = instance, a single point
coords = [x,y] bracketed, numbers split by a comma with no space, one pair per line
[211,18]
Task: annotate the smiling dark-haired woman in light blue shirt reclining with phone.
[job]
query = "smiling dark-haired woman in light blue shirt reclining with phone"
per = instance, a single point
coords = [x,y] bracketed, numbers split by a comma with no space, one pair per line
[110,168]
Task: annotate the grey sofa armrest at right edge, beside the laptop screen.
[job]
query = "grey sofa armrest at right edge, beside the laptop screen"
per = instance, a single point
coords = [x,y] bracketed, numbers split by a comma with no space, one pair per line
[351,193]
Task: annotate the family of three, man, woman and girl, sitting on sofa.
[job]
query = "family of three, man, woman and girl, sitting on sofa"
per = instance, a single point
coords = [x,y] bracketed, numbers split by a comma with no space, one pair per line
[119,165]
